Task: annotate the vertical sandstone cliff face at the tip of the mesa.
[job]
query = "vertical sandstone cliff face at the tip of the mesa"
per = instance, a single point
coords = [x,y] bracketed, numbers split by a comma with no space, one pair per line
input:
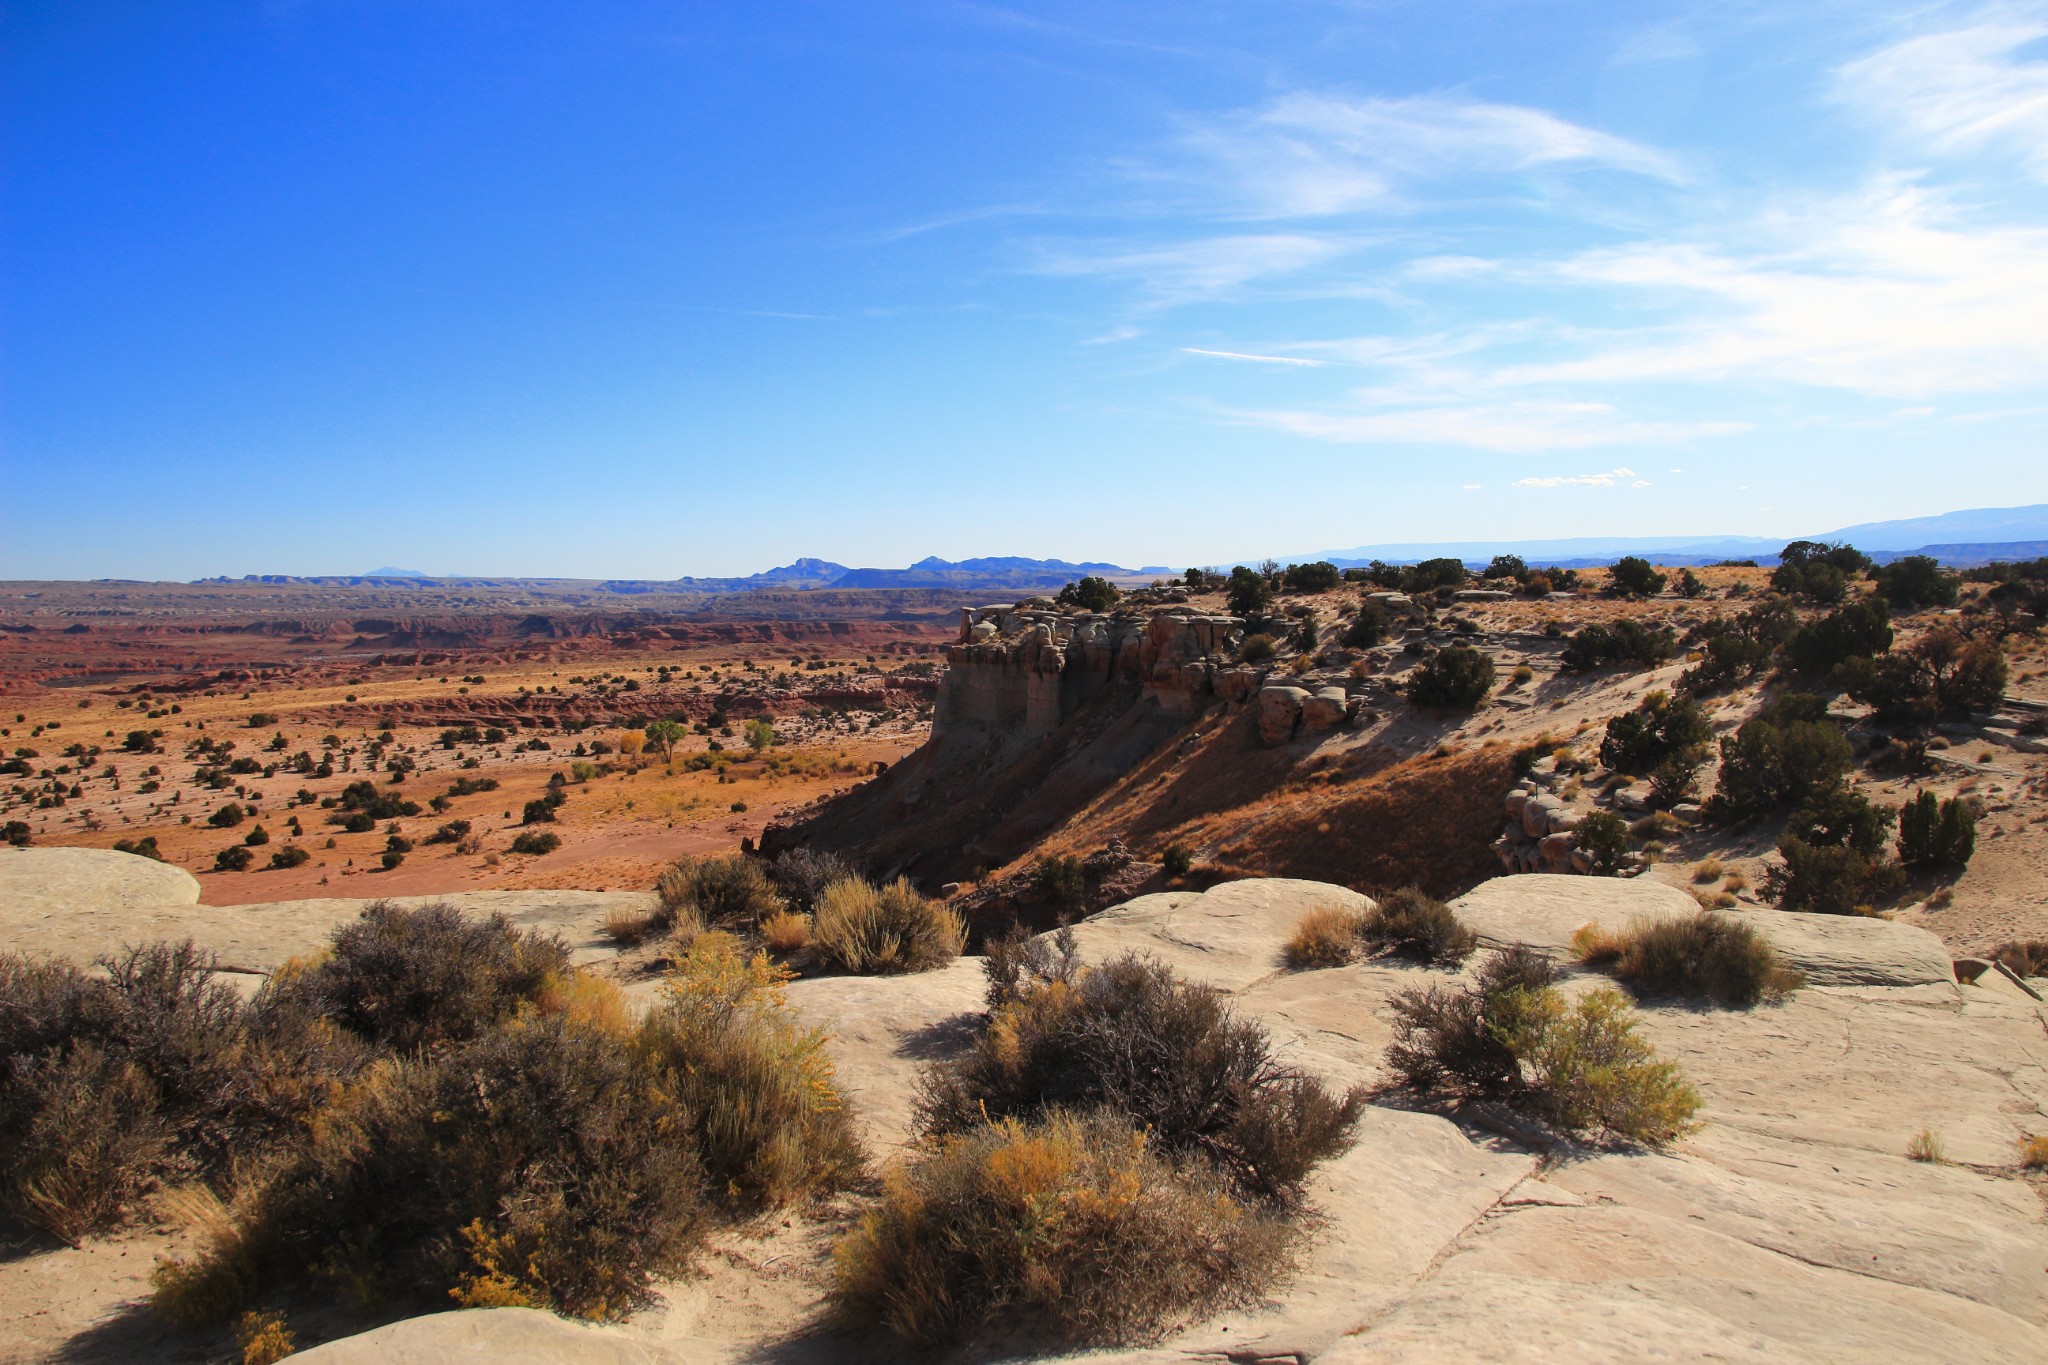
[1027,670]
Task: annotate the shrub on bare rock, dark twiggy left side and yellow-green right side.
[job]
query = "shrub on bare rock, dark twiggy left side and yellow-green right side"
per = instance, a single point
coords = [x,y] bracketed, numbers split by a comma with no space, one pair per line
[1512,1037]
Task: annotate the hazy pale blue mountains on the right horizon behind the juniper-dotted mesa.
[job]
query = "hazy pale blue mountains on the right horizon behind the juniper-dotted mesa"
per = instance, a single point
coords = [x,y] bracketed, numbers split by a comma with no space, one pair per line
[1971,537]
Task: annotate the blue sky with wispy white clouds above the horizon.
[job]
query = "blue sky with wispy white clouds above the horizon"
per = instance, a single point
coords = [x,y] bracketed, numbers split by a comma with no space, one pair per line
[658,290]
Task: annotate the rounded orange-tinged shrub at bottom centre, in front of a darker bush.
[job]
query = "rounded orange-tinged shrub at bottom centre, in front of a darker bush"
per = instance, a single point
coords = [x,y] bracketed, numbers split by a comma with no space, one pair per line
[1074,1227]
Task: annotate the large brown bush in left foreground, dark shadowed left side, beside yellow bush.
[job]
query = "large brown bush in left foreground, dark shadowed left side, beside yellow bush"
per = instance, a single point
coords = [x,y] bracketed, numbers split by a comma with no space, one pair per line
[538,1165]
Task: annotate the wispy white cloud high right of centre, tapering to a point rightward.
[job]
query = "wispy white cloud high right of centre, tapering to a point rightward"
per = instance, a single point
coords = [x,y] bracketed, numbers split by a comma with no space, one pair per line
[1314,155]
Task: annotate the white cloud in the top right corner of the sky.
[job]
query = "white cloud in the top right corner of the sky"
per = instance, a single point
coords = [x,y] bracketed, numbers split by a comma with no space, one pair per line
[1959,91]
